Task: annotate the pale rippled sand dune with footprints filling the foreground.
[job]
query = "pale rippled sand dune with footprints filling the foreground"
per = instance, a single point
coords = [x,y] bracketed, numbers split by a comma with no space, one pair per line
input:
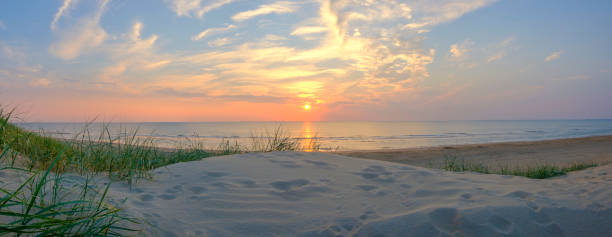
[317,194]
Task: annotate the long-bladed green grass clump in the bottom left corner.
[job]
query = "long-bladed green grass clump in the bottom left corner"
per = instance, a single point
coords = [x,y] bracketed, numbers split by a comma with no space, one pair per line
[38,207]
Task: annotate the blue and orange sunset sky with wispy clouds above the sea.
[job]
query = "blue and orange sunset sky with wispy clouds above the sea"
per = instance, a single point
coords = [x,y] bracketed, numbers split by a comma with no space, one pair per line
[247,60]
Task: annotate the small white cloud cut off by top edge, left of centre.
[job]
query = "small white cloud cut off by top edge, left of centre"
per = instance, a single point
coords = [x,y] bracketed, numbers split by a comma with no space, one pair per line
[195,7]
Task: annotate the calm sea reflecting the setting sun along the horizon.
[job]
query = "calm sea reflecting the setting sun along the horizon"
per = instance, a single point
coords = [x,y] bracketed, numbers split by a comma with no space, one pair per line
[348,135]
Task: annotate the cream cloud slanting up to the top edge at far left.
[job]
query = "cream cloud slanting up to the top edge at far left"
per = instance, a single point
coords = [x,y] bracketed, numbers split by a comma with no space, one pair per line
[87,34]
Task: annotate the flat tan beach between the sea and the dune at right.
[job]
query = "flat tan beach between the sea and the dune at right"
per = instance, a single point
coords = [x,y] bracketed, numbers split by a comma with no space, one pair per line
[562,152]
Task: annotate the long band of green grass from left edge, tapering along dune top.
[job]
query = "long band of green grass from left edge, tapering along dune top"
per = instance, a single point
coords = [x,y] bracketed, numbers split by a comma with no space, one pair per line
[123,157]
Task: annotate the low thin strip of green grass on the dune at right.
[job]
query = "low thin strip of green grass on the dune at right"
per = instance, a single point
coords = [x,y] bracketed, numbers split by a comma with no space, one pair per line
[541,171]
